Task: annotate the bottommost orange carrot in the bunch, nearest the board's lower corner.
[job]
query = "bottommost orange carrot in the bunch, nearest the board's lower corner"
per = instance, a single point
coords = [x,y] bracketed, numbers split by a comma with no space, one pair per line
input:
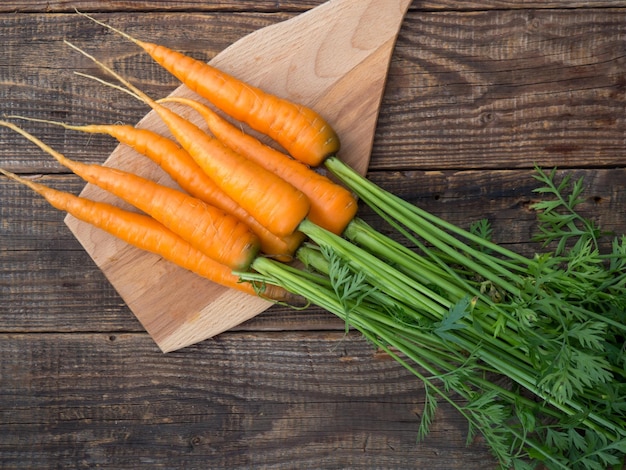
[142,231]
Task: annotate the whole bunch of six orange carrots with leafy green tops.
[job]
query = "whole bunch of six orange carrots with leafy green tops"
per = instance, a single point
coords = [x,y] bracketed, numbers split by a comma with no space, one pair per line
[244,208]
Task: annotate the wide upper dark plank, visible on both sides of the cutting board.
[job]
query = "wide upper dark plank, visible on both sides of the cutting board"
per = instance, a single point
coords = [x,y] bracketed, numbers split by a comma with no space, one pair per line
[494,89]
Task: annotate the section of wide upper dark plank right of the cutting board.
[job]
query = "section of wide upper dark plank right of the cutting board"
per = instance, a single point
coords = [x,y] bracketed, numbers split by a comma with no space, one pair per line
[506,89]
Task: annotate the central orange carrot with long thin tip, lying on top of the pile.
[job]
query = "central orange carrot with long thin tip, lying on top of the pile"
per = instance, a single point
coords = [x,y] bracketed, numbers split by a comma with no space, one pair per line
[276,204]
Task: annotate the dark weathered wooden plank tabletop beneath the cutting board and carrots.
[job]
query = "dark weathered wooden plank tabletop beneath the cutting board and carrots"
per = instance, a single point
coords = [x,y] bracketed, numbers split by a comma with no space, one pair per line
[478,93]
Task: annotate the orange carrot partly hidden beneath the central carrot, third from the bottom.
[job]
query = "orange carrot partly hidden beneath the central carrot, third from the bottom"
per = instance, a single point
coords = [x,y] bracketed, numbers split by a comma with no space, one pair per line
[189,176]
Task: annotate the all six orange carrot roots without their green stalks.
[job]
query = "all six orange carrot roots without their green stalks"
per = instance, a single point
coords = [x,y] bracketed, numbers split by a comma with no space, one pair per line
[238,197]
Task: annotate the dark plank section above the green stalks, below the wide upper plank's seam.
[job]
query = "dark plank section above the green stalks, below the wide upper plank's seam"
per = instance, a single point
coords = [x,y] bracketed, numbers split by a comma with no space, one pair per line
[504,198]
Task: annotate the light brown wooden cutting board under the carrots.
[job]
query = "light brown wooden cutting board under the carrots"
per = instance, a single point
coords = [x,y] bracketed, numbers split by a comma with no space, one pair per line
[333,58]
